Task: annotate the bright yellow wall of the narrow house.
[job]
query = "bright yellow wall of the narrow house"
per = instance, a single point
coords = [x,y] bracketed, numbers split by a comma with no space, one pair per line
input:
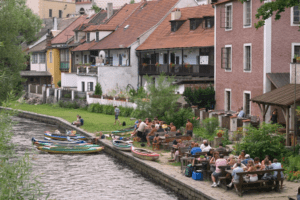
[53,67]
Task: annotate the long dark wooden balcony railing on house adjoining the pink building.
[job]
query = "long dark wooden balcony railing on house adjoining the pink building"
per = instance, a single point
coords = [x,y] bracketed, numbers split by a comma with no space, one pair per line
[179,70]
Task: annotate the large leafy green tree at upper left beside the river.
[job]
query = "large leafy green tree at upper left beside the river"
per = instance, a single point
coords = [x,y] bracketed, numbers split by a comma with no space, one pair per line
[18,24]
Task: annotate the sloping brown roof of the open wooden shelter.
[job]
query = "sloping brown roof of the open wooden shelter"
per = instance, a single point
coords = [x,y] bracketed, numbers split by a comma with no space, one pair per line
[283,96]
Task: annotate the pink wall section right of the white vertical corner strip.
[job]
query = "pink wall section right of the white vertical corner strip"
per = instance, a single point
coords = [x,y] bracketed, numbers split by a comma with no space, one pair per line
[283,35]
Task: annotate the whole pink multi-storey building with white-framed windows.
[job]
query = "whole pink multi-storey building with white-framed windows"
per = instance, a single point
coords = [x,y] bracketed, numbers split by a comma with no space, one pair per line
[250,61]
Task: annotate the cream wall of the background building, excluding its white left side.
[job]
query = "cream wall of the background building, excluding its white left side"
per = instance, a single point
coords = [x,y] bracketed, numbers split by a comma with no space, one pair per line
[56,5]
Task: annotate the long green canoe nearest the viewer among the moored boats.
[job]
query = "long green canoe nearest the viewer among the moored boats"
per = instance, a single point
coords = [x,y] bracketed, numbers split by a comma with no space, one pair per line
[70,150]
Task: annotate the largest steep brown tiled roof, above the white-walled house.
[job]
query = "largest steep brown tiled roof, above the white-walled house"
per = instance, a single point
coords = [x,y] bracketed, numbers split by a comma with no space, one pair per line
[143,17]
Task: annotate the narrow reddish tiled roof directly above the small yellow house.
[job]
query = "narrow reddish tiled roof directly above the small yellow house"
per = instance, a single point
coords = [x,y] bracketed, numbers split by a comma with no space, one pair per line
[66,34]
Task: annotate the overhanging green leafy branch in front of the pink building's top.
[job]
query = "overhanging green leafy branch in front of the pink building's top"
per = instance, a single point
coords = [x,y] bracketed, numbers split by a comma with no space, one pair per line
[269,8]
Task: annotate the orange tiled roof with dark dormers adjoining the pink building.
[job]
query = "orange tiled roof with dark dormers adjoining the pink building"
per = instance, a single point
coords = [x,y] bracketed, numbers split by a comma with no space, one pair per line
[163,38]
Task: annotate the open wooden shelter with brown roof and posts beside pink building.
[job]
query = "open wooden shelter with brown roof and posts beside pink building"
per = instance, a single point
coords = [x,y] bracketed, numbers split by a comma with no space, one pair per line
[282,97]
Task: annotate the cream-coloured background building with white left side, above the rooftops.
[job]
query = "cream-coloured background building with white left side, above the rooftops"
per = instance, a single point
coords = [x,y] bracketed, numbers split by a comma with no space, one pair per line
[52,8]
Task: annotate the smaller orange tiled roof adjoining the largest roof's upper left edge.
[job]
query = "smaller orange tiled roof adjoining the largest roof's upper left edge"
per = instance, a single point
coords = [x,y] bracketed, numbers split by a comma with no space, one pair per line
[115,20]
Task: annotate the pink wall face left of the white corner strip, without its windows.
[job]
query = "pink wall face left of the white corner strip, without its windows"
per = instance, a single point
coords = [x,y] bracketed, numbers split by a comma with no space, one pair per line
[237,80]
